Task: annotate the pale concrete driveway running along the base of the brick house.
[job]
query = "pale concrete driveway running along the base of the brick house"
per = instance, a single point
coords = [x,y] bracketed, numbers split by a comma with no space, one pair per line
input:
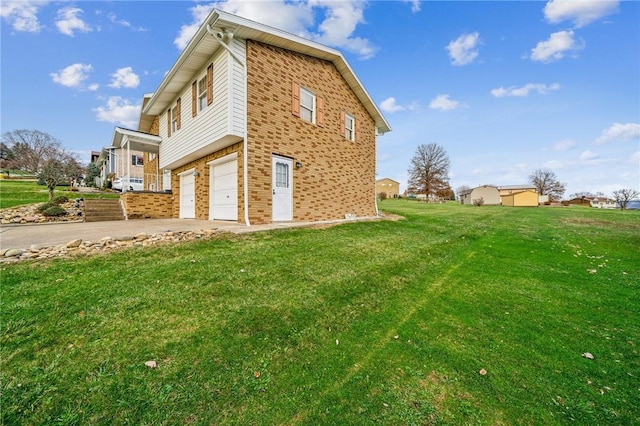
[53,234]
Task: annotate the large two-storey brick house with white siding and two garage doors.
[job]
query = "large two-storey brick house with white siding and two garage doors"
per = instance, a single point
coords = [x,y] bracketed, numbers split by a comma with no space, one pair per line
[255,125]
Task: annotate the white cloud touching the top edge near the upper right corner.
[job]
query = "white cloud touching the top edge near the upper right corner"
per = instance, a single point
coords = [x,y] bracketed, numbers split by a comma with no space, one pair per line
[580,12]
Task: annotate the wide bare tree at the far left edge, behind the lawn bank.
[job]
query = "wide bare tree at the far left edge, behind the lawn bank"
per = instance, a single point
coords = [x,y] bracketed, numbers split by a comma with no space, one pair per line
[30,149]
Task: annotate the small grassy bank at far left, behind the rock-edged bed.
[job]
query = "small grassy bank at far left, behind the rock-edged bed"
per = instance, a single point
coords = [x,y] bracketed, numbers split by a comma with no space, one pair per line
[20,192]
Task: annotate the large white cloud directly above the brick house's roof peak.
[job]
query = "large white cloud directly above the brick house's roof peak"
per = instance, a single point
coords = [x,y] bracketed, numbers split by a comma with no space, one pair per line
[336,29]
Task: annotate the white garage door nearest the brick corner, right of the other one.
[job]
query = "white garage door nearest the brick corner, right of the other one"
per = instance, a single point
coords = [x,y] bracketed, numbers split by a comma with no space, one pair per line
[223,203]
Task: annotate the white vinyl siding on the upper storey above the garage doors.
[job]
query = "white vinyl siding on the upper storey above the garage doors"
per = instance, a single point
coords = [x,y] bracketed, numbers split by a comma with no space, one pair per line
[217,126]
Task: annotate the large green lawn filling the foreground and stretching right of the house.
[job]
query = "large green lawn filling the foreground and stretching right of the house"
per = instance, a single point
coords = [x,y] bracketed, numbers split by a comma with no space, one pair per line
[363,323]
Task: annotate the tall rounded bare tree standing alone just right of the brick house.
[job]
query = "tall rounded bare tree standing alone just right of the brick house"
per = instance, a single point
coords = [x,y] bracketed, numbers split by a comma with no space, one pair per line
[429,171]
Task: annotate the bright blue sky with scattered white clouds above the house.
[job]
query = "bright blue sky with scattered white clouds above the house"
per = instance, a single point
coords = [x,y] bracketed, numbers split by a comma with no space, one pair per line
[505,87]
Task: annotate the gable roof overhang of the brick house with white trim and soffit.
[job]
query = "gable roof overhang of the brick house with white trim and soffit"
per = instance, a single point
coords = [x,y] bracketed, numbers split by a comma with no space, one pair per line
[202,46]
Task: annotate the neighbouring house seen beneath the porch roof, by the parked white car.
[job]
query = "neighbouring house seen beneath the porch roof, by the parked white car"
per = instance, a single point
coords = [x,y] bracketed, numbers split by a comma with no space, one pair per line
[123,167]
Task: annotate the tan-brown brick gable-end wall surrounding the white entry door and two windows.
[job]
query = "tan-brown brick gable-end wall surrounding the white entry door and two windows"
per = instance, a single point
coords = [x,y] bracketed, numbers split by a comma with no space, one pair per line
[337,175]
